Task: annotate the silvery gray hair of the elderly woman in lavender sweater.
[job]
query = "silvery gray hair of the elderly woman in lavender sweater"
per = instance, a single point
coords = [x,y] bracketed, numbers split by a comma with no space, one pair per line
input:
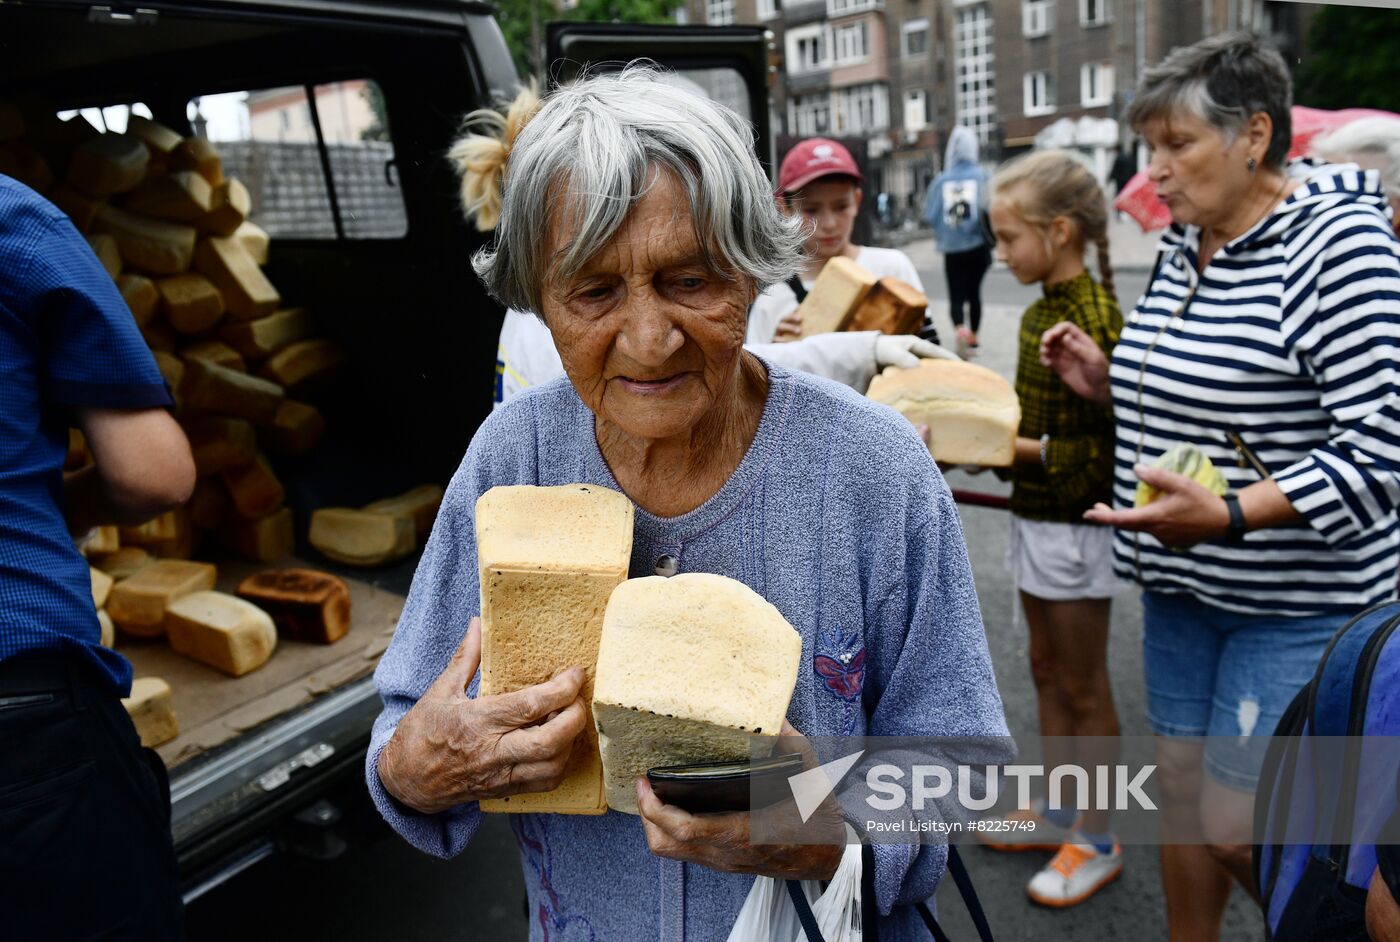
[594,150]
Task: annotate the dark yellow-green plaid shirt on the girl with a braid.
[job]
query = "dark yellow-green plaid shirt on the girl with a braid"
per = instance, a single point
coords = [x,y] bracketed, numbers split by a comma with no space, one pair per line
[1079,470]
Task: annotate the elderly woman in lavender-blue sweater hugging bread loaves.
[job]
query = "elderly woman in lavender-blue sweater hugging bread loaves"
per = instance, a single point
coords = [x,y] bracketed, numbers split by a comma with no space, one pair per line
[639,225]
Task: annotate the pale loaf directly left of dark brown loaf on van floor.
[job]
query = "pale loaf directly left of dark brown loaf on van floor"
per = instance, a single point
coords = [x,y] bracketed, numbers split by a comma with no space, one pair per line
[222,631]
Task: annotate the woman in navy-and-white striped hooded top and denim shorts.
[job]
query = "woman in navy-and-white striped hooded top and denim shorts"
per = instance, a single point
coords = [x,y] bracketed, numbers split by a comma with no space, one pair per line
[1266,339]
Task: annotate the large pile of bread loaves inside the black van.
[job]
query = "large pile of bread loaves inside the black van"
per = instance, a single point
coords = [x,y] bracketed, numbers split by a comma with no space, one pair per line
[174,234]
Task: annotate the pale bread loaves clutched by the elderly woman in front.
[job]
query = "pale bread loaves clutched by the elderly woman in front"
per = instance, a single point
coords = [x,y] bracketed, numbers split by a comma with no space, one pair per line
[720,661]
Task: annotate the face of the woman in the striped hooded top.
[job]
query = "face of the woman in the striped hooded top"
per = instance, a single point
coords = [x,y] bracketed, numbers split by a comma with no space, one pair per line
[1200,174]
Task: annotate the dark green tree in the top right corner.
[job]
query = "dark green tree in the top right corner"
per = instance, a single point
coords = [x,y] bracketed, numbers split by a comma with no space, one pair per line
[1352,59]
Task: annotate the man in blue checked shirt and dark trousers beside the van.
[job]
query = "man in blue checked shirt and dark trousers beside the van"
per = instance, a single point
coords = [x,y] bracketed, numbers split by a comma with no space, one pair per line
[85,811]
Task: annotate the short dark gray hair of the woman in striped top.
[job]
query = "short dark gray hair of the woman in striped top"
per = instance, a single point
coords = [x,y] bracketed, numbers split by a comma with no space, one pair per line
[1223,80]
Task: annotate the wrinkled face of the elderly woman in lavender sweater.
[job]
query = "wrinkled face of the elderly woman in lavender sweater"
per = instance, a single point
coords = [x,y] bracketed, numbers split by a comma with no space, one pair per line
[650,337]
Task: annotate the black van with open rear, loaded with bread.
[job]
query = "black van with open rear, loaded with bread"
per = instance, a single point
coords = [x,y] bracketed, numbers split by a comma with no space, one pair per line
[345,113]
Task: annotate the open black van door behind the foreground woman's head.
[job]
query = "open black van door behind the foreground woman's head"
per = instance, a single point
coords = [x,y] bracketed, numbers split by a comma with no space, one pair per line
[727,64]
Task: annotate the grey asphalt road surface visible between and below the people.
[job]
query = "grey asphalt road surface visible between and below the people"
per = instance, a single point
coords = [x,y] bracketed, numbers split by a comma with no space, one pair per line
[381,890]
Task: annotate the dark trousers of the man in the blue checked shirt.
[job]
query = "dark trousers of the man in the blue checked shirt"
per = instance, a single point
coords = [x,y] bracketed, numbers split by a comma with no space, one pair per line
[85,813]
